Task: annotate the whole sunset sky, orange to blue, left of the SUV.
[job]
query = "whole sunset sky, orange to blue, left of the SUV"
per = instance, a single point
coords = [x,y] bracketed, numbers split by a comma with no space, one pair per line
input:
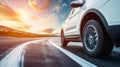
[37,16]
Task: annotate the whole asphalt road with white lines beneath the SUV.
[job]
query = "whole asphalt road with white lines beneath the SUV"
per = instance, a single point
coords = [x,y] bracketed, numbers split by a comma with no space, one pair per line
[47,52]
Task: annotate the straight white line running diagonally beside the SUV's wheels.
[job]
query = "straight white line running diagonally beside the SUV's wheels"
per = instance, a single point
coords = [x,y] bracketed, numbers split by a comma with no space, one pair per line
[74,57]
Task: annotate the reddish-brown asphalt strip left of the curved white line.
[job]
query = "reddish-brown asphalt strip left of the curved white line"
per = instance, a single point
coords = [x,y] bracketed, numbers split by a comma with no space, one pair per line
[9,43]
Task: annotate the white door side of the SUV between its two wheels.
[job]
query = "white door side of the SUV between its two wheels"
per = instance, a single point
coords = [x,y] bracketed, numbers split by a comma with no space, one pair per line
[71,22]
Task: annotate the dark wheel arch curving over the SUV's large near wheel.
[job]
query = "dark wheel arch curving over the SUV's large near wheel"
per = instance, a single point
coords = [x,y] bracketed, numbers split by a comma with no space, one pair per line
[95,14]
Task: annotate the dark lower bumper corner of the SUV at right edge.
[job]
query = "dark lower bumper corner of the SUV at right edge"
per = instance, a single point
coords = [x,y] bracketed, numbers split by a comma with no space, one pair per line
[114,33]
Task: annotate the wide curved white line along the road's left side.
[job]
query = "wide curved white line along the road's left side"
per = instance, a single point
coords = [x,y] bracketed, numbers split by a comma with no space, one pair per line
[14,58]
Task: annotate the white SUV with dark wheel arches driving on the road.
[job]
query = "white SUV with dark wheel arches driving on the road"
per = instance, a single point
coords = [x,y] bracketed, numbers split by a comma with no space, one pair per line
[94,22]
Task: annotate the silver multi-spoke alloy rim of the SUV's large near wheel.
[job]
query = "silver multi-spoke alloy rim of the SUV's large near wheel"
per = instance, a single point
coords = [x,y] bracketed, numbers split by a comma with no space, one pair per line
[91,38]
